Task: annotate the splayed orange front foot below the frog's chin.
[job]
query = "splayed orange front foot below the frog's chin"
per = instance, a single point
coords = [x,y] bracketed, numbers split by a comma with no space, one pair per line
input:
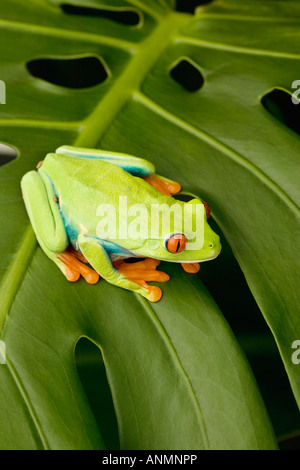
[143,271]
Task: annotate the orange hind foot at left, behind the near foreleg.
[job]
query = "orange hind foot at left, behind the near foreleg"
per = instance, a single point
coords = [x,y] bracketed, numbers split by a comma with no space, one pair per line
[74,263]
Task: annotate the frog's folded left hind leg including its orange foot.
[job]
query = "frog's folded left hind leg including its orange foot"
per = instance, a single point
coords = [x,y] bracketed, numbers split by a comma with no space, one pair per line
[44,214]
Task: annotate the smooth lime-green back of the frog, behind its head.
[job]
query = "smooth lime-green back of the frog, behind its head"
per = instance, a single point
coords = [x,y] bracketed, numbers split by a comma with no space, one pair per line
[83,184]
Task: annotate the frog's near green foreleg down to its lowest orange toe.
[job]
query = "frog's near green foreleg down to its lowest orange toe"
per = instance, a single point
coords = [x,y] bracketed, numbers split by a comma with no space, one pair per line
[100,261]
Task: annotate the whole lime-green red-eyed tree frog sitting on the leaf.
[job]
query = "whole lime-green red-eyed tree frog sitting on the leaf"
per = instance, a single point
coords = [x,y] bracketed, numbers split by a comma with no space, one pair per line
[75,200]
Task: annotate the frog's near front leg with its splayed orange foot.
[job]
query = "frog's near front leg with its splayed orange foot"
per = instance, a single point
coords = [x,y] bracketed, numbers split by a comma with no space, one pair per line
[131,276]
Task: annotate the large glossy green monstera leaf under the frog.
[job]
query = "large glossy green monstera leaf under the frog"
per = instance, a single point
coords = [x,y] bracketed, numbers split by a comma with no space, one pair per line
[205,98]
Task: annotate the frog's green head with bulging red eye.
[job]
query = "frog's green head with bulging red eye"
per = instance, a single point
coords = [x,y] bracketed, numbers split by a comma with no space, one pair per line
[184,239]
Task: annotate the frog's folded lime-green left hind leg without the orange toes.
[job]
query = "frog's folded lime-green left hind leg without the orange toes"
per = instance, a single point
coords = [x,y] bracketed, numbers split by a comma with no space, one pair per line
[44,215]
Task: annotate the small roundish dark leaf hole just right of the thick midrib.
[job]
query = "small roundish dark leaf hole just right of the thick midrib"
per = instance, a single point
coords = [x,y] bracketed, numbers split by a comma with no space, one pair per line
[187,74]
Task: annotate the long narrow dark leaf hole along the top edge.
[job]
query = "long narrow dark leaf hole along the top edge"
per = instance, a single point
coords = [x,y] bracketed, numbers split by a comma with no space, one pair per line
[124,16]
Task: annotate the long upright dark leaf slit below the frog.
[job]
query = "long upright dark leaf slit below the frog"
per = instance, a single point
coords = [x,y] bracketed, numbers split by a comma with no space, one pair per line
[92,374]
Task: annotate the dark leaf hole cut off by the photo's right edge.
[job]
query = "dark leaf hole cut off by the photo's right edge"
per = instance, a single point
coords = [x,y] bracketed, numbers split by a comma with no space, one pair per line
[284,107]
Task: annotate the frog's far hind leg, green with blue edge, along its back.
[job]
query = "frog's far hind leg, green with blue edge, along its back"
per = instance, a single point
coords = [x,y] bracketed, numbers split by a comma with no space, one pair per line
[134,165]
